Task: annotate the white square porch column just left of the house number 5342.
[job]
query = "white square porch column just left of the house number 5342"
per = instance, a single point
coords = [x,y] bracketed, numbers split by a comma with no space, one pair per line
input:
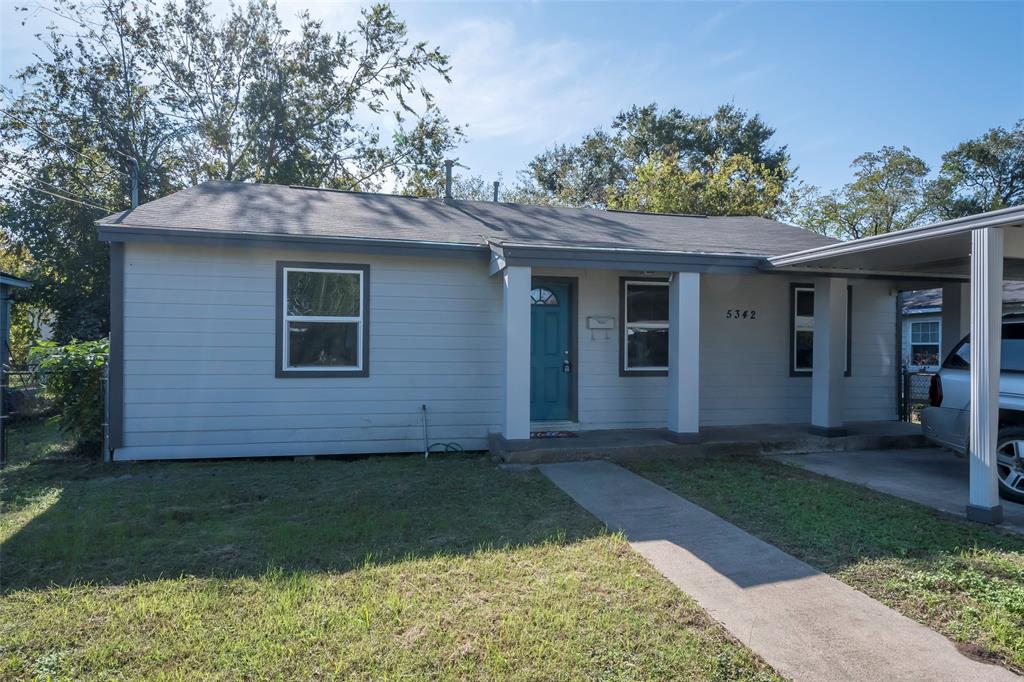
[685,357]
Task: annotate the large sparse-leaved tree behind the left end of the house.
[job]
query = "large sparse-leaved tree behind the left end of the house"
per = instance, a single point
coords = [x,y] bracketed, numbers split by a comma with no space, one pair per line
[193,98]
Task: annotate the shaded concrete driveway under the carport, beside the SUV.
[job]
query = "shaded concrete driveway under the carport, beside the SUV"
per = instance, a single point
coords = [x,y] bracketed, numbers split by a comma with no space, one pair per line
[928,476]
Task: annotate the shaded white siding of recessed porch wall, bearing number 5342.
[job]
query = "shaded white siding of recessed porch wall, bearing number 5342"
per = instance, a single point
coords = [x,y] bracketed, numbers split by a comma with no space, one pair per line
[745,364]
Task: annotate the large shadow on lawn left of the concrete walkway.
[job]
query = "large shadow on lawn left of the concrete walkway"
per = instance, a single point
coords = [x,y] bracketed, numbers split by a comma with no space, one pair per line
[70,522]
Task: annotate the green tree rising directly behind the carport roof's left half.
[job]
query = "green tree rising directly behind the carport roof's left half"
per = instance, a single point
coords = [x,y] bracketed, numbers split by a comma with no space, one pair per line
[886,195]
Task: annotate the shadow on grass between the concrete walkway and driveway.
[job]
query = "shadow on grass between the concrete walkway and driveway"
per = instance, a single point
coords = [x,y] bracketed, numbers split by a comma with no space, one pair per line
[830,524]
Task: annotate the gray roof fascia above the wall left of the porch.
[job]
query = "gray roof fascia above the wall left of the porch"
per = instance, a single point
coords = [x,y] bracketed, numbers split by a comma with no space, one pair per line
[109,233]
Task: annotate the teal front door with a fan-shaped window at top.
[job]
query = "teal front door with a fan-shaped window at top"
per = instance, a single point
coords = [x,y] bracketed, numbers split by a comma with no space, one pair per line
[550,352]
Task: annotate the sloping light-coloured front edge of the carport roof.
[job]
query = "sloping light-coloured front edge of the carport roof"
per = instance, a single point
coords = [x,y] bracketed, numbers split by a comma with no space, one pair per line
[1001,219]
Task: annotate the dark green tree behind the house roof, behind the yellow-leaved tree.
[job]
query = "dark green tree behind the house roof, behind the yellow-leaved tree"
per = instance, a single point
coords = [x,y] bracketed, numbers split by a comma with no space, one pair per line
[605,161]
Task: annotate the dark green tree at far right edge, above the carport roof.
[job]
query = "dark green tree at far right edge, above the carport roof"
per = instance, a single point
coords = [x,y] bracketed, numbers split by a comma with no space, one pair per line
[982,175]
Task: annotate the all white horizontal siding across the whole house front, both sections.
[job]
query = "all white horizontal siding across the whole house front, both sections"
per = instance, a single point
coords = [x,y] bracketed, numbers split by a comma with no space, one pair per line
[200,358]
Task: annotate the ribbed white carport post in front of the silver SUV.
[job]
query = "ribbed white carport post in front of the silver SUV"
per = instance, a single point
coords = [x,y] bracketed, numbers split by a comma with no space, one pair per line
[987,339]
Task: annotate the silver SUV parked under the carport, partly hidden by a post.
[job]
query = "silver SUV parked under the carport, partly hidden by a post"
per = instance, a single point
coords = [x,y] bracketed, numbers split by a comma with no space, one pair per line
[946,423]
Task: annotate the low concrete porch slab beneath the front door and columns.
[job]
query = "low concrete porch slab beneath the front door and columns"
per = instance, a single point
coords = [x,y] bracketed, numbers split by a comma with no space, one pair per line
[626,445]
